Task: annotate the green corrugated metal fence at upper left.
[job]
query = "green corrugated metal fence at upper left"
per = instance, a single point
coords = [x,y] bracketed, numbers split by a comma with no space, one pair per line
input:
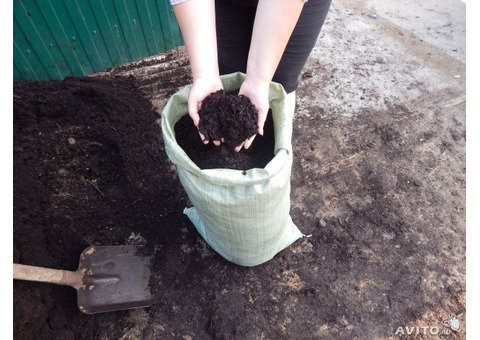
[53,39]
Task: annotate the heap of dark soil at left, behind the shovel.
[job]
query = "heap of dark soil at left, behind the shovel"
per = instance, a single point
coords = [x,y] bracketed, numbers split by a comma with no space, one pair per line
[89,169]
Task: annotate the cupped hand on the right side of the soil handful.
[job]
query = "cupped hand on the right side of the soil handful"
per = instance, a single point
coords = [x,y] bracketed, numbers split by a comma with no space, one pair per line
[257,91]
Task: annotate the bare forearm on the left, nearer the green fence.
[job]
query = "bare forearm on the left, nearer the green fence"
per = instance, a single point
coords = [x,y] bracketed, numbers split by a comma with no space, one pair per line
[196,19]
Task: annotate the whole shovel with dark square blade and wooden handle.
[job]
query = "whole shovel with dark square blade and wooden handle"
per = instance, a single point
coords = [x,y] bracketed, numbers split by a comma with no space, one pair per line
[108,278]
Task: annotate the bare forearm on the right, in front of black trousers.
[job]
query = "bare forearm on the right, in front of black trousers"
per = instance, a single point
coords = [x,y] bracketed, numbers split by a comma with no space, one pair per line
[274,24]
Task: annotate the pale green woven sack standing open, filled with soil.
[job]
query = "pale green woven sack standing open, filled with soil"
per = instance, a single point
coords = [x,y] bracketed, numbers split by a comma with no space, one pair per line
[243,217]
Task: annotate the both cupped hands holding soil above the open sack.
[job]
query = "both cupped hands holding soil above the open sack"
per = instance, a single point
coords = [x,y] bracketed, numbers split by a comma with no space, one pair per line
[255,90]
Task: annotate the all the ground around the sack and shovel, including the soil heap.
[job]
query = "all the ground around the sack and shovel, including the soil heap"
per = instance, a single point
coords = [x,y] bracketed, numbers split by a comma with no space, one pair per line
[378,181]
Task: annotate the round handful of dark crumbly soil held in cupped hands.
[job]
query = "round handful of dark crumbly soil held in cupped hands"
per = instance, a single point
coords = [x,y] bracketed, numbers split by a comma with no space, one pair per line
[228,117]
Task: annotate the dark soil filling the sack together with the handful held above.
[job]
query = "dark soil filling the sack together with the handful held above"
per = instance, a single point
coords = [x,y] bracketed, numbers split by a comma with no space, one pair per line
[231,116]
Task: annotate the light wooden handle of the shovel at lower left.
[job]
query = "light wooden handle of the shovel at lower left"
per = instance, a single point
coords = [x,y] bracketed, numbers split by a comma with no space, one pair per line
[40,274]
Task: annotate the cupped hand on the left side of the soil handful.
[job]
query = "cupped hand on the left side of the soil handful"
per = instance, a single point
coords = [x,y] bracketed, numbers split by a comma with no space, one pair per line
[201,88]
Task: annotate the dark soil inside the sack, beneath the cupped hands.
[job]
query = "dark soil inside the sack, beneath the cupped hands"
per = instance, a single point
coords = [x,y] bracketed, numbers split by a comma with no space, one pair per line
[209,156]
